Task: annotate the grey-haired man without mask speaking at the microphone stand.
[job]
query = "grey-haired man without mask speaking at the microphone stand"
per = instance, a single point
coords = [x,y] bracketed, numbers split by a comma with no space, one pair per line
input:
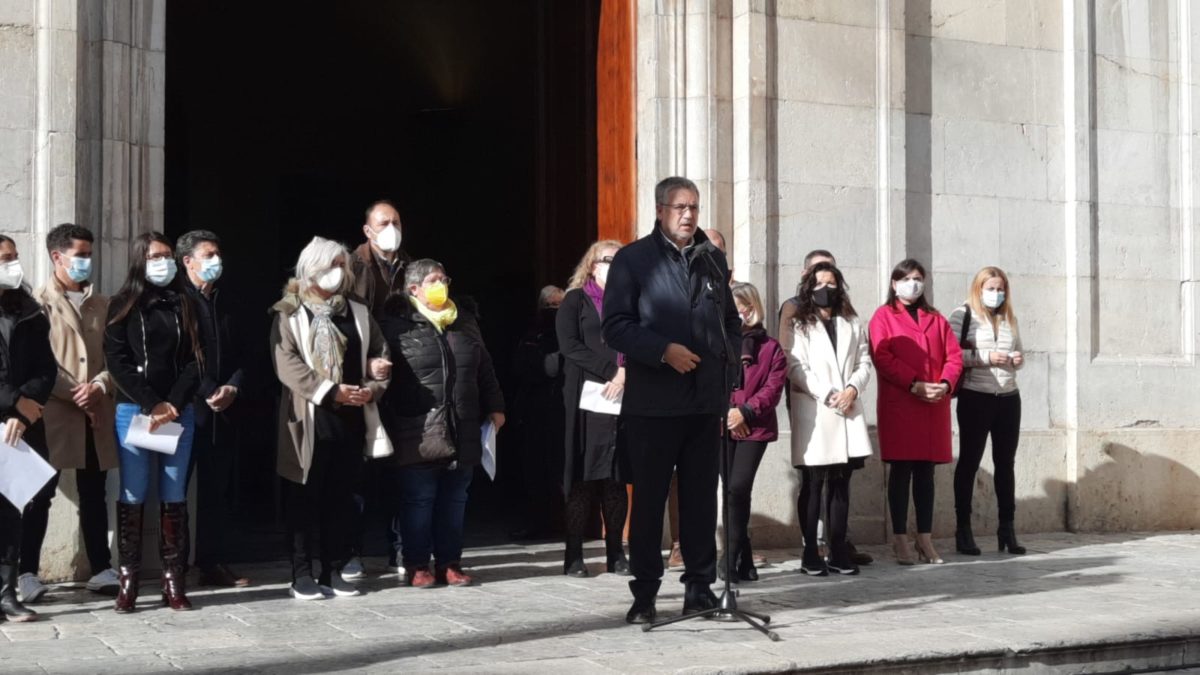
[669,309]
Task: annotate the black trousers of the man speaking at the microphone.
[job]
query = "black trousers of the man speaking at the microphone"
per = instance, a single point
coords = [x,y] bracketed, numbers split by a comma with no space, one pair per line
[659,446]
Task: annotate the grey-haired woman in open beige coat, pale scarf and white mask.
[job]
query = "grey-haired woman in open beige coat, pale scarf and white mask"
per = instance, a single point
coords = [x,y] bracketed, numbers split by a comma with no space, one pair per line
[333,362]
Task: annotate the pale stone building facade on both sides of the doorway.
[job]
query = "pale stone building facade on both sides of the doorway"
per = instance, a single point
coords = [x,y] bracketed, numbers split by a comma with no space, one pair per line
[1051,138]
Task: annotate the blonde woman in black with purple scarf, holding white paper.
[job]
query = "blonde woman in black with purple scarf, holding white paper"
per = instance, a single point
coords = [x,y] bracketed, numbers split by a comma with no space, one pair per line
[592,379]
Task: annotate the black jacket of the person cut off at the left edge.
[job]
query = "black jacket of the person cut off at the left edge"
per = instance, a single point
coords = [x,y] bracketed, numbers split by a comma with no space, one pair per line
[27,365]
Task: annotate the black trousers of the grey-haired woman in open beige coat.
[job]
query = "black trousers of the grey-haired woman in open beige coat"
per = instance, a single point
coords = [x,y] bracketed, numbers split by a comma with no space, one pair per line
[321,512]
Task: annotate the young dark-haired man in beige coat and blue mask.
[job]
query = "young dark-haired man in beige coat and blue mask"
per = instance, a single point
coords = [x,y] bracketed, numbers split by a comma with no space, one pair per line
[80,414]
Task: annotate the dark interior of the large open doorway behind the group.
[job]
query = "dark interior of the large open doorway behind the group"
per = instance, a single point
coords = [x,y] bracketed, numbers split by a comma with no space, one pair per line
[477,118]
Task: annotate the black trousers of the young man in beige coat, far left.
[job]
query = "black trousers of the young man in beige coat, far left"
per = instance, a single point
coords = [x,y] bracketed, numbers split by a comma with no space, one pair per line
[93,512]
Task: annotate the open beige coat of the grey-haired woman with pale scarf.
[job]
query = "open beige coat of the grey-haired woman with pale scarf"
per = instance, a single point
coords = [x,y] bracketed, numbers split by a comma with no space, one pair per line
[303,389]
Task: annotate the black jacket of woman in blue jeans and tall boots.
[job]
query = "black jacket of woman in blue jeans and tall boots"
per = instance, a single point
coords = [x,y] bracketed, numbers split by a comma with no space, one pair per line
[149,353]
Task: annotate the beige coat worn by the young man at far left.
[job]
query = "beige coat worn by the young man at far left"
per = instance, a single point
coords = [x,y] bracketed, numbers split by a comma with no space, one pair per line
[77,339]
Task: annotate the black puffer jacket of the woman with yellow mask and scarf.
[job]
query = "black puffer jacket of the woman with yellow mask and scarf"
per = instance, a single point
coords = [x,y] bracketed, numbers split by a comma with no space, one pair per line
[429,368]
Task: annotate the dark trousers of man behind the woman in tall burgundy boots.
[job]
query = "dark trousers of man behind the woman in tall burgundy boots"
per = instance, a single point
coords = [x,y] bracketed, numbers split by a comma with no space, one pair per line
[213,458]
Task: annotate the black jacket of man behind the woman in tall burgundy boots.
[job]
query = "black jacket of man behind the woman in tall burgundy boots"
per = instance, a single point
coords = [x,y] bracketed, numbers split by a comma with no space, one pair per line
[223,350]
